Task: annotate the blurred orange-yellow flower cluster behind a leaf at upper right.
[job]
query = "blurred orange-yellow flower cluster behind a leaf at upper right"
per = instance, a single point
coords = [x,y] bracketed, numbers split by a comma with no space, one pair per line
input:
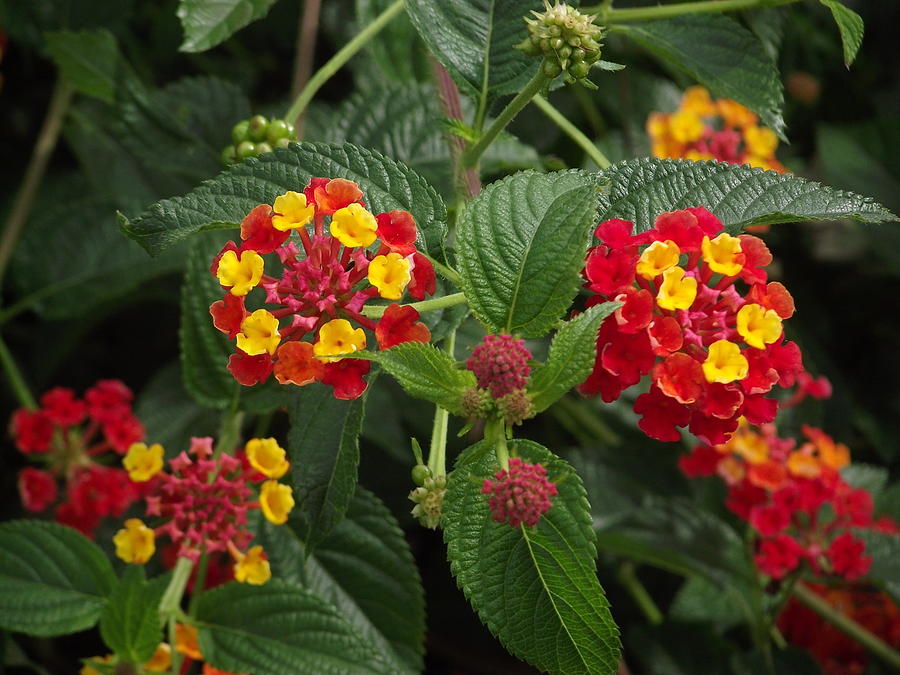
[722,129]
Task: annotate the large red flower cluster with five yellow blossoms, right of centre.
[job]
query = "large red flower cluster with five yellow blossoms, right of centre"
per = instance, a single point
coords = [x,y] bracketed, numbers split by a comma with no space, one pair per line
[713,353]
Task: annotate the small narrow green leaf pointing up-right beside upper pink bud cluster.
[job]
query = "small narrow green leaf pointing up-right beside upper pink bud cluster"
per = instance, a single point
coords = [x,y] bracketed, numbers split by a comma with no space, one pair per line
[572,355]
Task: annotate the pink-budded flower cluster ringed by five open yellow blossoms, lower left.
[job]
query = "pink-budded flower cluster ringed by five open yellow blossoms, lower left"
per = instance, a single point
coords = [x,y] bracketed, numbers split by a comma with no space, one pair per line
[203,502]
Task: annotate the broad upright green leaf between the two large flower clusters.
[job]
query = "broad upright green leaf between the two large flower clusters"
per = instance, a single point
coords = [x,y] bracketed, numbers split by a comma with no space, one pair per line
[521,246]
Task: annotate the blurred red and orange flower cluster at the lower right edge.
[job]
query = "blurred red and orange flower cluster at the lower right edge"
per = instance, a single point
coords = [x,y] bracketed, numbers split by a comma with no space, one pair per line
[795,499]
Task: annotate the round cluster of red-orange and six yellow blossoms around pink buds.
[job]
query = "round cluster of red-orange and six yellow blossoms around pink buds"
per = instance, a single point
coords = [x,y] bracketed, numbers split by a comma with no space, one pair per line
[323,282]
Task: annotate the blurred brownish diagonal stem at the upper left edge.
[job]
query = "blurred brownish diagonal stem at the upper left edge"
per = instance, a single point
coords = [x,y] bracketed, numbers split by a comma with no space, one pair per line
[34,173]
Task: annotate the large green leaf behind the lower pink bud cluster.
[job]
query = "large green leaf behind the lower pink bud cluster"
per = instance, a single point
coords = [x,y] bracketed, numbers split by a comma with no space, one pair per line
[535,588]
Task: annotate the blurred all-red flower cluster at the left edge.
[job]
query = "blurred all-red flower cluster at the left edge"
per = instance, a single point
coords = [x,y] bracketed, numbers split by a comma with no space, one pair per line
[71,437]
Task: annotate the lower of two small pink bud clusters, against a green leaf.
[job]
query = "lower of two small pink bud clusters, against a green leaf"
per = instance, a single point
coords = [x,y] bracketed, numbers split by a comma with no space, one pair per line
[519,495]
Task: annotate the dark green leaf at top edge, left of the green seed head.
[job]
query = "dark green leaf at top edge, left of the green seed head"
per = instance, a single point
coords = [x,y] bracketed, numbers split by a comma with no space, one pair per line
[474,41]
